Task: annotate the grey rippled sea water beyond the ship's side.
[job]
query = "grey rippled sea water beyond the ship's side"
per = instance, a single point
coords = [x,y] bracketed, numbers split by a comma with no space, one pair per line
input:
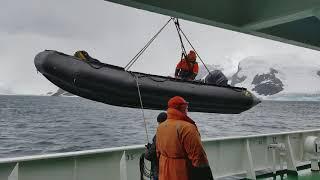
[32,125]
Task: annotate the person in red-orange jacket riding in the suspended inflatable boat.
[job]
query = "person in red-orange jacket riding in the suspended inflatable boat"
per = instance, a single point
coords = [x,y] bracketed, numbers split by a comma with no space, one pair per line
[187,68]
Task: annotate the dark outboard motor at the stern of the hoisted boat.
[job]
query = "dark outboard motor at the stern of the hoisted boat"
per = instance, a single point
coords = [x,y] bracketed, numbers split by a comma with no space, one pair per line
[217,78]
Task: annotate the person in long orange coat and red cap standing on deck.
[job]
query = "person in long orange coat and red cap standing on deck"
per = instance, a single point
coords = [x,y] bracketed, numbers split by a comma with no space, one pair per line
[179,147]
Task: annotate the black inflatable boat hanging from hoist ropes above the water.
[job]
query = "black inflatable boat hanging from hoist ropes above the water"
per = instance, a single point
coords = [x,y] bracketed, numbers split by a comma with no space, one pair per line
[113,85]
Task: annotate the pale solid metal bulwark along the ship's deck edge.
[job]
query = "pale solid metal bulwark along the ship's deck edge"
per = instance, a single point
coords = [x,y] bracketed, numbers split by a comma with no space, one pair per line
[242,156]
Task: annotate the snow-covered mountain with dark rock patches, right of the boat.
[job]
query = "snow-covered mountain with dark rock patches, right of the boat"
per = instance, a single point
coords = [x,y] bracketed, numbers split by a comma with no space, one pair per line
[267,76]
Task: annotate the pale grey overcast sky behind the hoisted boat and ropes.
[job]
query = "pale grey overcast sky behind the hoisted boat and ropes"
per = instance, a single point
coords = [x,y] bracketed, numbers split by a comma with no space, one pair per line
[113,34]
